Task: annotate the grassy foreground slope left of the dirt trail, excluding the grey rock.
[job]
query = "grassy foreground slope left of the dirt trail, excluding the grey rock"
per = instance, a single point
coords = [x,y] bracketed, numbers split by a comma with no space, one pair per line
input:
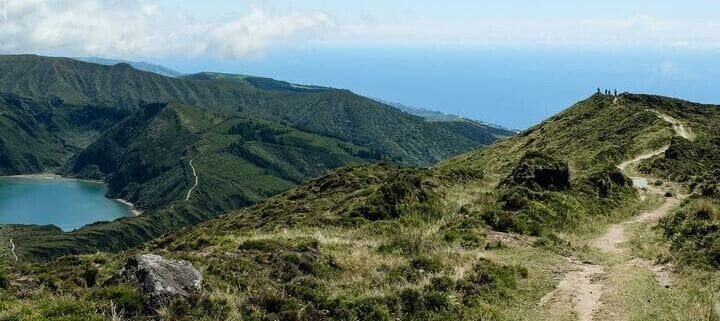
[382,242]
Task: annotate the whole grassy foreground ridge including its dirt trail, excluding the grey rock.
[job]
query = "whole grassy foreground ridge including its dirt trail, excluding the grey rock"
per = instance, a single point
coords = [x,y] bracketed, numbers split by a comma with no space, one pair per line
[515,231]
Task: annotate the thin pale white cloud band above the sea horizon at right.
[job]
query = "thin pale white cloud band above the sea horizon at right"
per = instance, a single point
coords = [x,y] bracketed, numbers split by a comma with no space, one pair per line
[628,30]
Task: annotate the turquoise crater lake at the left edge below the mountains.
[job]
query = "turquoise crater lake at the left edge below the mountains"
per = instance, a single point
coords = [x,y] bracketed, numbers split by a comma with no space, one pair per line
[67,204]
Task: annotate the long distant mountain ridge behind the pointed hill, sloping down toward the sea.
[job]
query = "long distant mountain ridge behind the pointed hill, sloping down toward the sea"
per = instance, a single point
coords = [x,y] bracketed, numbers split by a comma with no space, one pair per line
[334,113]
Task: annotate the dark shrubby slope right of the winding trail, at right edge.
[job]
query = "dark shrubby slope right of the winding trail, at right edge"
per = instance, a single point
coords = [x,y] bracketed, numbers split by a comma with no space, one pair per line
[694,230]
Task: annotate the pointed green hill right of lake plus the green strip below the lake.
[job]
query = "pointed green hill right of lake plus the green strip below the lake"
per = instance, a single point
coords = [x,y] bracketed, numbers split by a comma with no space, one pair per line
[145,159]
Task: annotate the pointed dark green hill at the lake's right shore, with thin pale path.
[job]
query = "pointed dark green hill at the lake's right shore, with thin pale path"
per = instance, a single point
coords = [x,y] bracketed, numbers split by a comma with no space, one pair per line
[146,158]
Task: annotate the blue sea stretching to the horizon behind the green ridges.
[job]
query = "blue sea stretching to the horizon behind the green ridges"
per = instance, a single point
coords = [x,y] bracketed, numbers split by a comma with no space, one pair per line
[513,87]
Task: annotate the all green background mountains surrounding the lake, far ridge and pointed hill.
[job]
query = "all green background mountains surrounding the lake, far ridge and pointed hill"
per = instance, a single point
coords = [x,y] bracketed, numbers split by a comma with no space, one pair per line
[149,136]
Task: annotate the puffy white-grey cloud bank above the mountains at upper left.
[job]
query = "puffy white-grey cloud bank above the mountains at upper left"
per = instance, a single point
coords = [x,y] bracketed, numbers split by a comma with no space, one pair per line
[135,28]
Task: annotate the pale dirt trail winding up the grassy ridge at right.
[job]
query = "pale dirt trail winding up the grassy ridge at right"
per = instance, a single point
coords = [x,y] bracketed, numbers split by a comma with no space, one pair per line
[581,290]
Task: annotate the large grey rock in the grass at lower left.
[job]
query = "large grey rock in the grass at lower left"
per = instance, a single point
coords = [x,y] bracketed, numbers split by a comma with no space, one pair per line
[160,280]
